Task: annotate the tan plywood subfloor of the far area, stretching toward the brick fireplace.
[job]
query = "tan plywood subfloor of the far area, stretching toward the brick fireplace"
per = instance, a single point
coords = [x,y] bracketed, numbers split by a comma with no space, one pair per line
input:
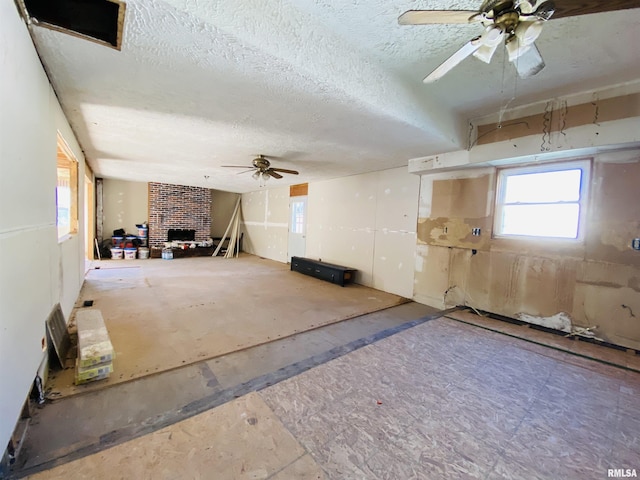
[165,314]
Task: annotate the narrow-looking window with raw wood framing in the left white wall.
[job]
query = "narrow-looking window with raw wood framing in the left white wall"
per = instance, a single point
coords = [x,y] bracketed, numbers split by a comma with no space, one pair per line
[66,192]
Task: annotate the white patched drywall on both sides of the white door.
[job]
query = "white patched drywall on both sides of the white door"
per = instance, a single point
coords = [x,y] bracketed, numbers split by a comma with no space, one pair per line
[367,222]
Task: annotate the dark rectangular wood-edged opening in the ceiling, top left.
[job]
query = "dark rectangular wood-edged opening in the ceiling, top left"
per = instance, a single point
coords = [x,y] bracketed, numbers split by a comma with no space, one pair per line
[100,21]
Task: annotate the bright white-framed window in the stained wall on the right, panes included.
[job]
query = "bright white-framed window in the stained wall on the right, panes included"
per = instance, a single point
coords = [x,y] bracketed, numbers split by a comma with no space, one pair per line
[542,201]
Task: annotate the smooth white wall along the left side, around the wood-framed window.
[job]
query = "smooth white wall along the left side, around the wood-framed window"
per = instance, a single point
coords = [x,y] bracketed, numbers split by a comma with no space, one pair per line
[36,271]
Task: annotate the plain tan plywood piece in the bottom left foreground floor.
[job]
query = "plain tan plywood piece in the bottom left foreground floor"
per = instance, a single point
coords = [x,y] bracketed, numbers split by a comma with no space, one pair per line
[242,439]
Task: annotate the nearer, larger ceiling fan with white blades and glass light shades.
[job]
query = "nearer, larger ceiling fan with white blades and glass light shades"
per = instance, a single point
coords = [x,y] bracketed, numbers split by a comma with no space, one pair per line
[516,23]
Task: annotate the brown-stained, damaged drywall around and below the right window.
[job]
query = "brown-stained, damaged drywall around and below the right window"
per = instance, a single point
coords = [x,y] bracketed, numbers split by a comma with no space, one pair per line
[589,283]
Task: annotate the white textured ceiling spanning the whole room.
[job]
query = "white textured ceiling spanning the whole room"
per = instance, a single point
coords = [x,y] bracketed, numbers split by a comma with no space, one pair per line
[329,88]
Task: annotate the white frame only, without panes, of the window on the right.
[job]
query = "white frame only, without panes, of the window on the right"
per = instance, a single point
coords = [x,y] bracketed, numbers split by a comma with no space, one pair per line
[585,165]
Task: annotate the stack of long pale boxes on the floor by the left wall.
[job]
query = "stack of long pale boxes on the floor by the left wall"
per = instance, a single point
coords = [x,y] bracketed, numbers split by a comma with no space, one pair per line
[95,352]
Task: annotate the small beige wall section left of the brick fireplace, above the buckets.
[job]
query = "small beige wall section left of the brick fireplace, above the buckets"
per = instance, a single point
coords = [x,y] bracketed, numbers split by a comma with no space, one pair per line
[125,205]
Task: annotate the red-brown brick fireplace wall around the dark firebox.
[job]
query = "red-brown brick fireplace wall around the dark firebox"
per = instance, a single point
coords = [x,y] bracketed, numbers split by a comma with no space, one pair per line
[178,207]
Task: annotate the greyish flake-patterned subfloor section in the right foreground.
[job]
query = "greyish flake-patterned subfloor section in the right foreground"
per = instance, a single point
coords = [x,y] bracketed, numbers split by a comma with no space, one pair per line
[448,400]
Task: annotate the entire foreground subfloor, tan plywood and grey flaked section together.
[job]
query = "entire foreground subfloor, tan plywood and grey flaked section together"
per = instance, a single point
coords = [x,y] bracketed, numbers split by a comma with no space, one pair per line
[442,400]
